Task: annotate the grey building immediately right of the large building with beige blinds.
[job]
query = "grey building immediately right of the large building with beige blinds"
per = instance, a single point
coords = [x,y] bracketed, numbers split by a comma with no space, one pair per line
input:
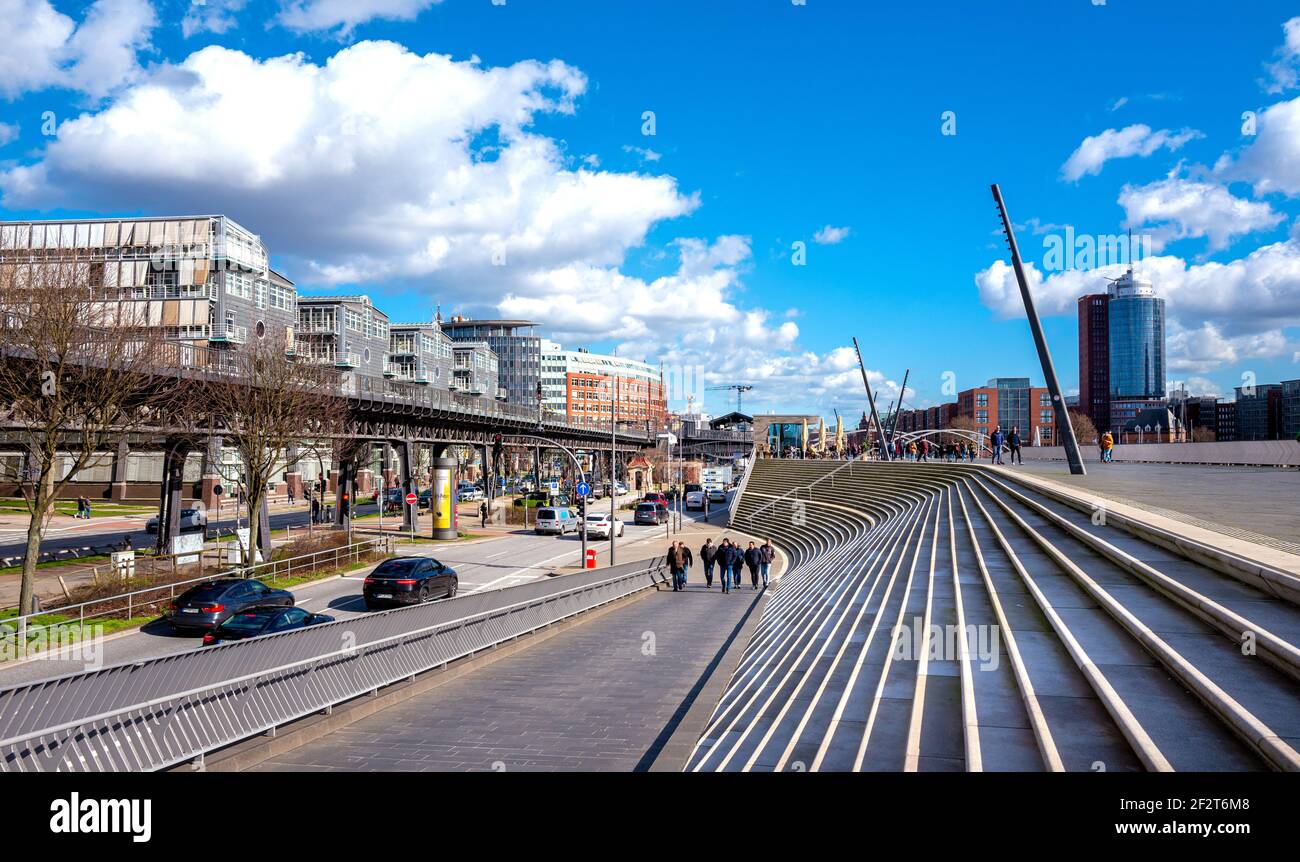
[345,332]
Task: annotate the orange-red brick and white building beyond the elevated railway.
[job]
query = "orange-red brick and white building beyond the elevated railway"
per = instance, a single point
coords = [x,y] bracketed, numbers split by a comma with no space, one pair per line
[579,384]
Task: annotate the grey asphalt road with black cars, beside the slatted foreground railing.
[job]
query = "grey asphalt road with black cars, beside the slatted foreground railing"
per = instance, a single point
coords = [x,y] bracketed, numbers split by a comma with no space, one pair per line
[484,565]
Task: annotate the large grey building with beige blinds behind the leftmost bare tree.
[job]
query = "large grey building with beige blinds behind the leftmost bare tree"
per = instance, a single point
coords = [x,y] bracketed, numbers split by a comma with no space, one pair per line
[202,279]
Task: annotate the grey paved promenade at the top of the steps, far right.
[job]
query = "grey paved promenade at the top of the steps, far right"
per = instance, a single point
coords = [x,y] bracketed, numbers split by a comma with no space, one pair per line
[1255,504]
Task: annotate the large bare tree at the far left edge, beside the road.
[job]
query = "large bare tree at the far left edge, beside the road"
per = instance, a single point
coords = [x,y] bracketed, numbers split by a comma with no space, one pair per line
[80,372]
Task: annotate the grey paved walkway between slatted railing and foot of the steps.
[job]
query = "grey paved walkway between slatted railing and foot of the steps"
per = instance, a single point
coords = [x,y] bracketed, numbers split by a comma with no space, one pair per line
[606,695]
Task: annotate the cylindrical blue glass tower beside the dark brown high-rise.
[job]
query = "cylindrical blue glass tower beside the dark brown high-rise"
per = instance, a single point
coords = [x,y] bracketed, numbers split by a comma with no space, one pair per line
[1137,336]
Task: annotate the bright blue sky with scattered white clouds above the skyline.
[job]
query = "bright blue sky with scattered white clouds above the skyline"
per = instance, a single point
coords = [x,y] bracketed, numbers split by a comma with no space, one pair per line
[515,179]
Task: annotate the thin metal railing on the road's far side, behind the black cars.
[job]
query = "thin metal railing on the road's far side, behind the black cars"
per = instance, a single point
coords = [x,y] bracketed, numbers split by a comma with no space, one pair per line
[18,630]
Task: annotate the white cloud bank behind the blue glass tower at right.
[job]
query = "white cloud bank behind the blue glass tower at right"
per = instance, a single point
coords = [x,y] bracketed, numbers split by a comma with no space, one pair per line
[1251,301]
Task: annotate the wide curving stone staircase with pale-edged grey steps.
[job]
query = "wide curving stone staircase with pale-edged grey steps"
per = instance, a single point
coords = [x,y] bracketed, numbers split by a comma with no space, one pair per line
[947,617]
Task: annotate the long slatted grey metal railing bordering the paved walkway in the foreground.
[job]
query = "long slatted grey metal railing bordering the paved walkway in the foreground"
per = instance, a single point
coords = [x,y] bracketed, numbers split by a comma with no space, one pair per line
[154,714]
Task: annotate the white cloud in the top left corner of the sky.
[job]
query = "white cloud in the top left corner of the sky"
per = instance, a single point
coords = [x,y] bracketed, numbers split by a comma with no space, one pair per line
[42,49]
